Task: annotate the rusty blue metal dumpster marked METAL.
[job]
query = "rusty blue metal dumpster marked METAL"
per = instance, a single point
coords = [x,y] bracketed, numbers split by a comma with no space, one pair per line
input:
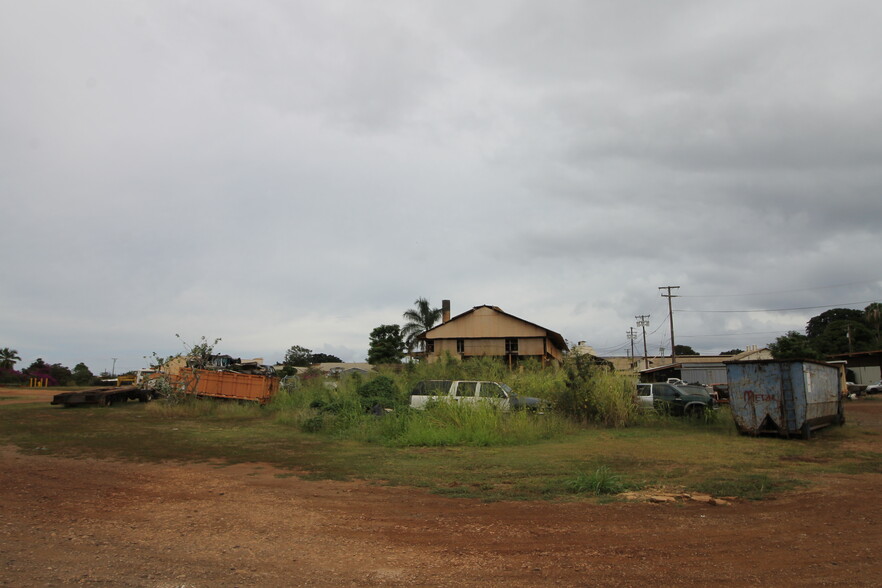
[784,397]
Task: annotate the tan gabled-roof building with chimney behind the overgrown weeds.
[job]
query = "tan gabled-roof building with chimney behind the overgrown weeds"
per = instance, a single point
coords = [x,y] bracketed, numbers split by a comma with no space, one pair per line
[488,331]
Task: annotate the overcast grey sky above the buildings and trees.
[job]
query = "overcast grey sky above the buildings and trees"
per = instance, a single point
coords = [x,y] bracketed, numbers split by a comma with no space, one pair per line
[281,173]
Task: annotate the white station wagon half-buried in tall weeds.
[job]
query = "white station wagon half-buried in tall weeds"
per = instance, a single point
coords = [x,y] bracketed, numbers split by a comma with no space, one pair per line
[473,391]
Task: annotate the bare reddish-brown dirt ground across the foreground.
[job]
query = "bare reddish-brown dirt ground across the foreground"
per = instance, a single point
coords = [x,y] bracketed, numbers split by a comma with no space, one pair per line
[80,521]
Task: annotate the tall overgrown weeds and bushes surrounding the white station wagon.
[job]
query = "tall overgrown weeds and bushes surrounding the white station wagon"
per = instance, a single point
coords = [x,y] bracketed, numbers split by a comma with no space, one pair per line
[375,408]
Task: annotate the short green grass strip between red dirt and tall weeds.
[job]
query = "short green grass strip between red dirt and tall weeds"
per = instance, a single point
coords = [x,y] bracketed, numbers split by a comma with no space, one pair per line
[321,433]
